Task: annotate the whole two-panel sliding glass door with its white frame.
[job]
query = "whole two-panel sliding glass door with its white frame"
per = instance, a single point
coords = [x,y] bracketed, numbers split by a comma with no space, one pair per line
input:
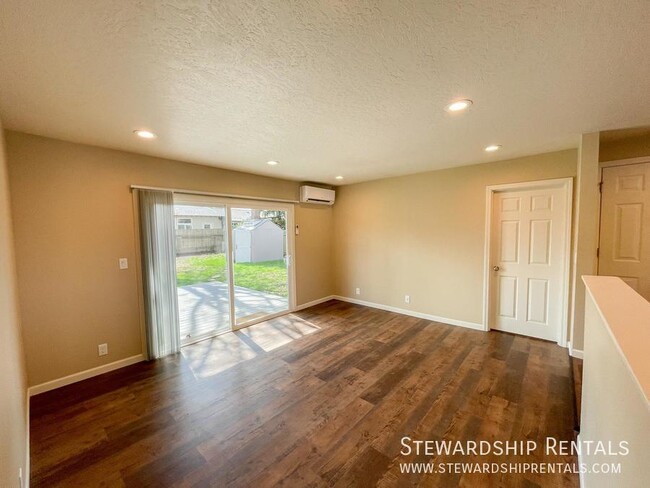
[233,264]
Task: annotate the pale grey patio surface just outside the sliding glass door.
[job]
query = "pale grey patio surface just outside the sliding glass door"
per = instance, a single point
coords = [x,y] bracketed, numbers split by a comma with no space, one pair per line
[204,308]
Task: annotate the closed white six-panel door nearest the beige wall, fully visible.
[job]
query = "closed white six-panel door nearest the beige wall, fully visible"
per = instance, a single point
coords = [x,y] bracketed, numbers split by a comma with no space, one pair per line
[528,261]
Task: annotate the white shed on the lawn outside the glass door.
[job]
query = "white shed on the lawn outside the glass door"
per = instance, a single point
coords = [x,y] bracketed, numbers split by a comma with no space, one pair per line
[258,240]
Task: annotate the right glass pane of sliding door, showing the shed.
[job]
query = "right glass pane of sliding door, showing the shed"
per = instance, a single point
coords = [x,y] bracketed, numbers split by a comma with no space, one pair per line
[260,264]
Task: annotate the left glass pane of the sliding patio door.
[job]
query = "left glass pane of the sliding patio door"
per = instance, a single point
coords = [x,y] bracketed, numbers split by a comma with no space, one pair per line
[201,270]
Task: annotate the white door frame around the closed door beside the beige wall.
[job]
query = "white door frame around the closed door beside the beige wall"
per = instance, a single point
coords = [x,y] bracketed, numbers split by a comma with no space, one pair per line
[565,184]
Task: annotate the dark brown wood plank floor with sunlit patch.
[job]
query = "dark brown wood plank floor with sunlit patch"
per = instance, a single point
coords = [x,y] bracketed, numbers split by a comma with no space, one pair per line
[322,397]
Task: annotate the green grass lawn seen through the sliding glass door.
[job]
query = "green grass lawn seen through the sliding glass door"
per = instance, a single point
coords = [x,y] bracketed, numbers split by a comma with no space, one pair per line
[267,276]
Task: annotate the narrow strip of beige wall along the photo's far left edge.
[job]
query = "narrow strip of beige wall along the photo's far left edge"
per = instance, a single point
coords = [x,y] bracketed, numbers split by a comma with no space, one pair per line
[13,387]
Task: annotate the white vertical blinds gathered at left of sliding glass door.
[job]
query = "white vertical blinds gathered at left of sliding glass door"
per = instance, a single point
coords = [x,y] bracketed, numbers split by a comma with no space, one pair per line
[159,272]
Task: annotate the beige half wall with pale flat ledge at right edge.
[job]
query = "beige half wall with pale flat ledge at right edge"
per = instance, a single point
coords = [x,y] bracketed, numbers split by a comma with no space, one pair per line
[615,417]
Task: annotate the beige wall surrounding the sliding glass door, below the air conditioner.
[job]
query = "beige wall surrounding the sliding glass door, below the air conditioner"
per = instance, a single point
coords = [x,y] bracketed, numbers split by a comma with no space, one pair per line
[73,213]
